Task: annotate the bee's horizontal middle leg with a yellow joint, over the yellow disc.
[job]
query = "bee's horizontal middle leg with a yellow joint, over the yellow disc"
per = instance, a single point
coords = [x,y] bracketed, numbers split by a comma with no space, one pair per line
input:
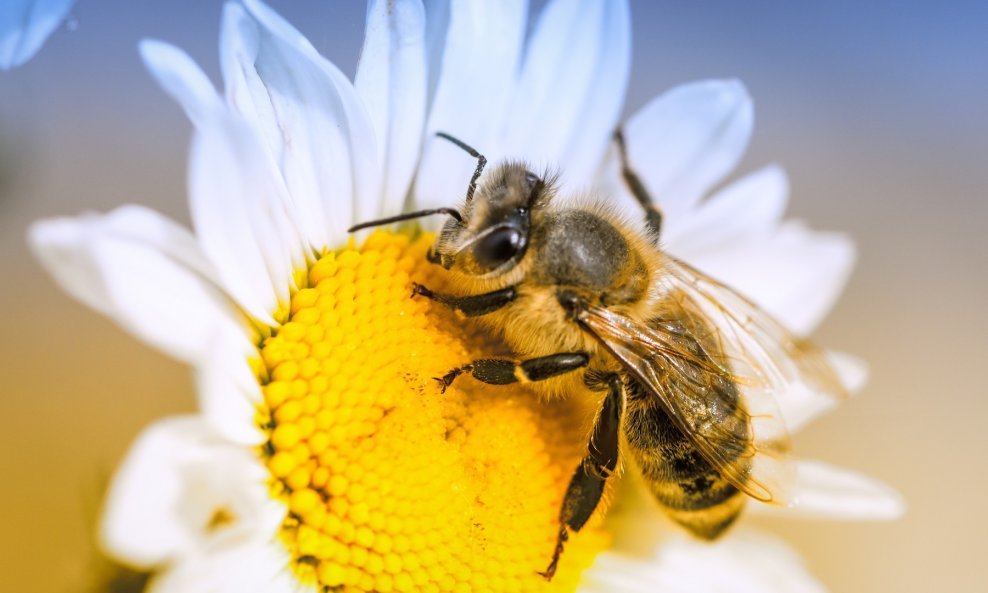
[499,371]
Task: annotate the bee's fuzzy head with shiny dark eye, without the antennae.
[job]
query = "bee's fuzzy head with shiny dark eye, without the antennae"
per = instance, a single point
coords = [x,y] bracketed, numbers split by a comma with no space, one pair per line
[496,224]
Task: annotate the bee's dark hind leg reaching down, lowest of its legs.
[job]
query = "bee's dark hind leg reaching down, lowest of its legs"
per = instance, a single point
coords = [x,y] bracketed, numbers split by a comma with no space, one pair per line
[586,487]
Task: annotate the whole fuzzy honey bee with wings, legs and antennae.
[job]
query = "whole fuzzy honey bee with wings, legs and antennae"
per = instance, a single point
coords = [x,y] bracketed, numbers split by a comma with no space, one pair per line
[587,302]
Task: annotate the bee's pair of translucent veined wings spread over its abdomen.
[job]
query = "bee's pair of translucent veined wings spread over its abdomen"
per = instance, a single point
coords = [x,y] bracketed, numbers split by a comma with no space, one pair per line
[708,335]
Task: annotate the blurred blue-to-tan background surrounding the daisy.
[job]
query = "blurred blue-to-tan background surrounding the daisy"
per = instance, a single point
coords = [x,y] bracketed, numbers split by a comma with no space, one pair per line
[880,117]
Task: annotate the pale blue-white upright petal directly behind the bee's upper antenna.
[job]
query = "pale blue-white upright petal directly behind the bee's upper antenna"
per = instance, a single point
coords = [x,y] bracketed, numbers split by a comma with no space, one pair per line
[476,69]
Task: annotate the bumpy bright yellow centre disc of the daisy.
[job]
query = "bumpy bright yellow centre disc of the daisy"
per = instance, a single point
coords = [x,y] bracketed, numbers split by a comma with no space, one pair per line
[391,485]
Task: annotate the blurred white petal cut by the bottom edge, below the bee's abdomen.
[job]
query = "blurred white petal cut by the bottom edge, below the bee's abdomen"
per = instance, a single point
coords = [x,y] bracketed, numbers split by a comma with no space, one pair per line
[742,562]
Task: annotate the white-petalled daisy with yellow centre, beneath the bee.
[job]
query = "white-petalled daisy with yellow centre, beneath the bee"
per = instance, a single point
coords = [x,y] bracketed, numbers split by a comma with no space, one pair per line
[323,457]
